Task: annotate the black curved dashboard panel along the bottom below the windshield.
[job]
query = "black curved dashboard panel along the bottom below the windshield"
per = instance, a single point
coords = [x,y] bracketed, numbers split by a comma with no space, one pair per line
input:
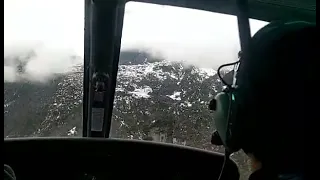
[88,158]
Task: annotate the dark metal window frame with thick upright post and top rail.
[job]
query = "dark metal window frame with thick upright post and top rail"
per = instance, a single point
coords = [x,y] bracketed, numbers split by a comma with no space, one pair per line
[102,42]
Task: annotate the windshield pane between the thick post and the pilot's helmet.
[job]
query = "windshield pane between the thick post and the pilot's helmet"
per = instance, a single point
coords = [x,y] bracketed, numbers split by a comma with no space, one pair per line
[167,74]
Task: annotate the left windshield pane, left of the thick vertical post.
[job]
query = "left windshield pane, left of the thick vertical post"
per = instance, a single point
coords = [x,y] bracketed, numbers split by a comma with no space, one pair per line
[43,67]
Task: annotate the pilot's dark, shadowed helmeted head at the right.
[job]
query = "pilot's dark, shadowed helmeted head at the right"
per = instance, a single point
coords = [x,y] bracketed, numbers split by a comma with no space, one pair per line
[276,90]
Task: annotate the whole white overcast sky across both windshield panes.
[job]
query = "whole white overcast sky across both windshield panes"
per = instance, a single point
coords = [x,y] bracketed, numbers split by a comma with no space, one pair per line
[54,30]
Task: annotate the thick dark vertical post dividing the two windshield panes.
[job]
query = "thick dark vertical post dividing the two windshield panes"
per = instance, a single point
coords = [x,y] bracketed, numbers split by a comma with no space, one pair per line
[105,24]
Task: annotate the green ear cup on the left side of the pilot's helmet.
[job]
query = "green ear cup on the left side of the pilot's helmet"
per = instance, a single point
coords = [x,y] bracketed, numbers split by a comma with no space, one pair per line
[221,116]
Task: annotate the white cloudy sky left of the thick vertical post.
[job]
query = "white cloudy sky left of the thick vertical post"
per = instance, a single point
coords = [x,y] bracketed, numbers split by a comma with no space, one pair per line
[53,29]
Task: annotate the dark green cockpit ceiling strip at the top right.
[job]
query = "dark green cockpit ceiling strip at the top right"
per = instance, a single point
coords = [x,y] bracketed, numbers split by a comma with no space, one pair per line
[266,10]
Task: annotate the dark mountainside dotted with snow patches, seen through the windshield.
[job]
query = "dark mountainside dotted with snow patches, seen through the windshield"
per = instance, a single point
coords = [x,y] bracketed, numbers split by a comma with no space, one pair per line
[145,86]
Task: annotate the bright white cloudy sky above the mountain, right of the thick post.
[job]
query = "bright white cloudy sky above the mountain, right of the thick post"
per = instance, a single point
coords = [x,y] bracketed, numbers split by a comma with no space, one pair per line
[197,37]
